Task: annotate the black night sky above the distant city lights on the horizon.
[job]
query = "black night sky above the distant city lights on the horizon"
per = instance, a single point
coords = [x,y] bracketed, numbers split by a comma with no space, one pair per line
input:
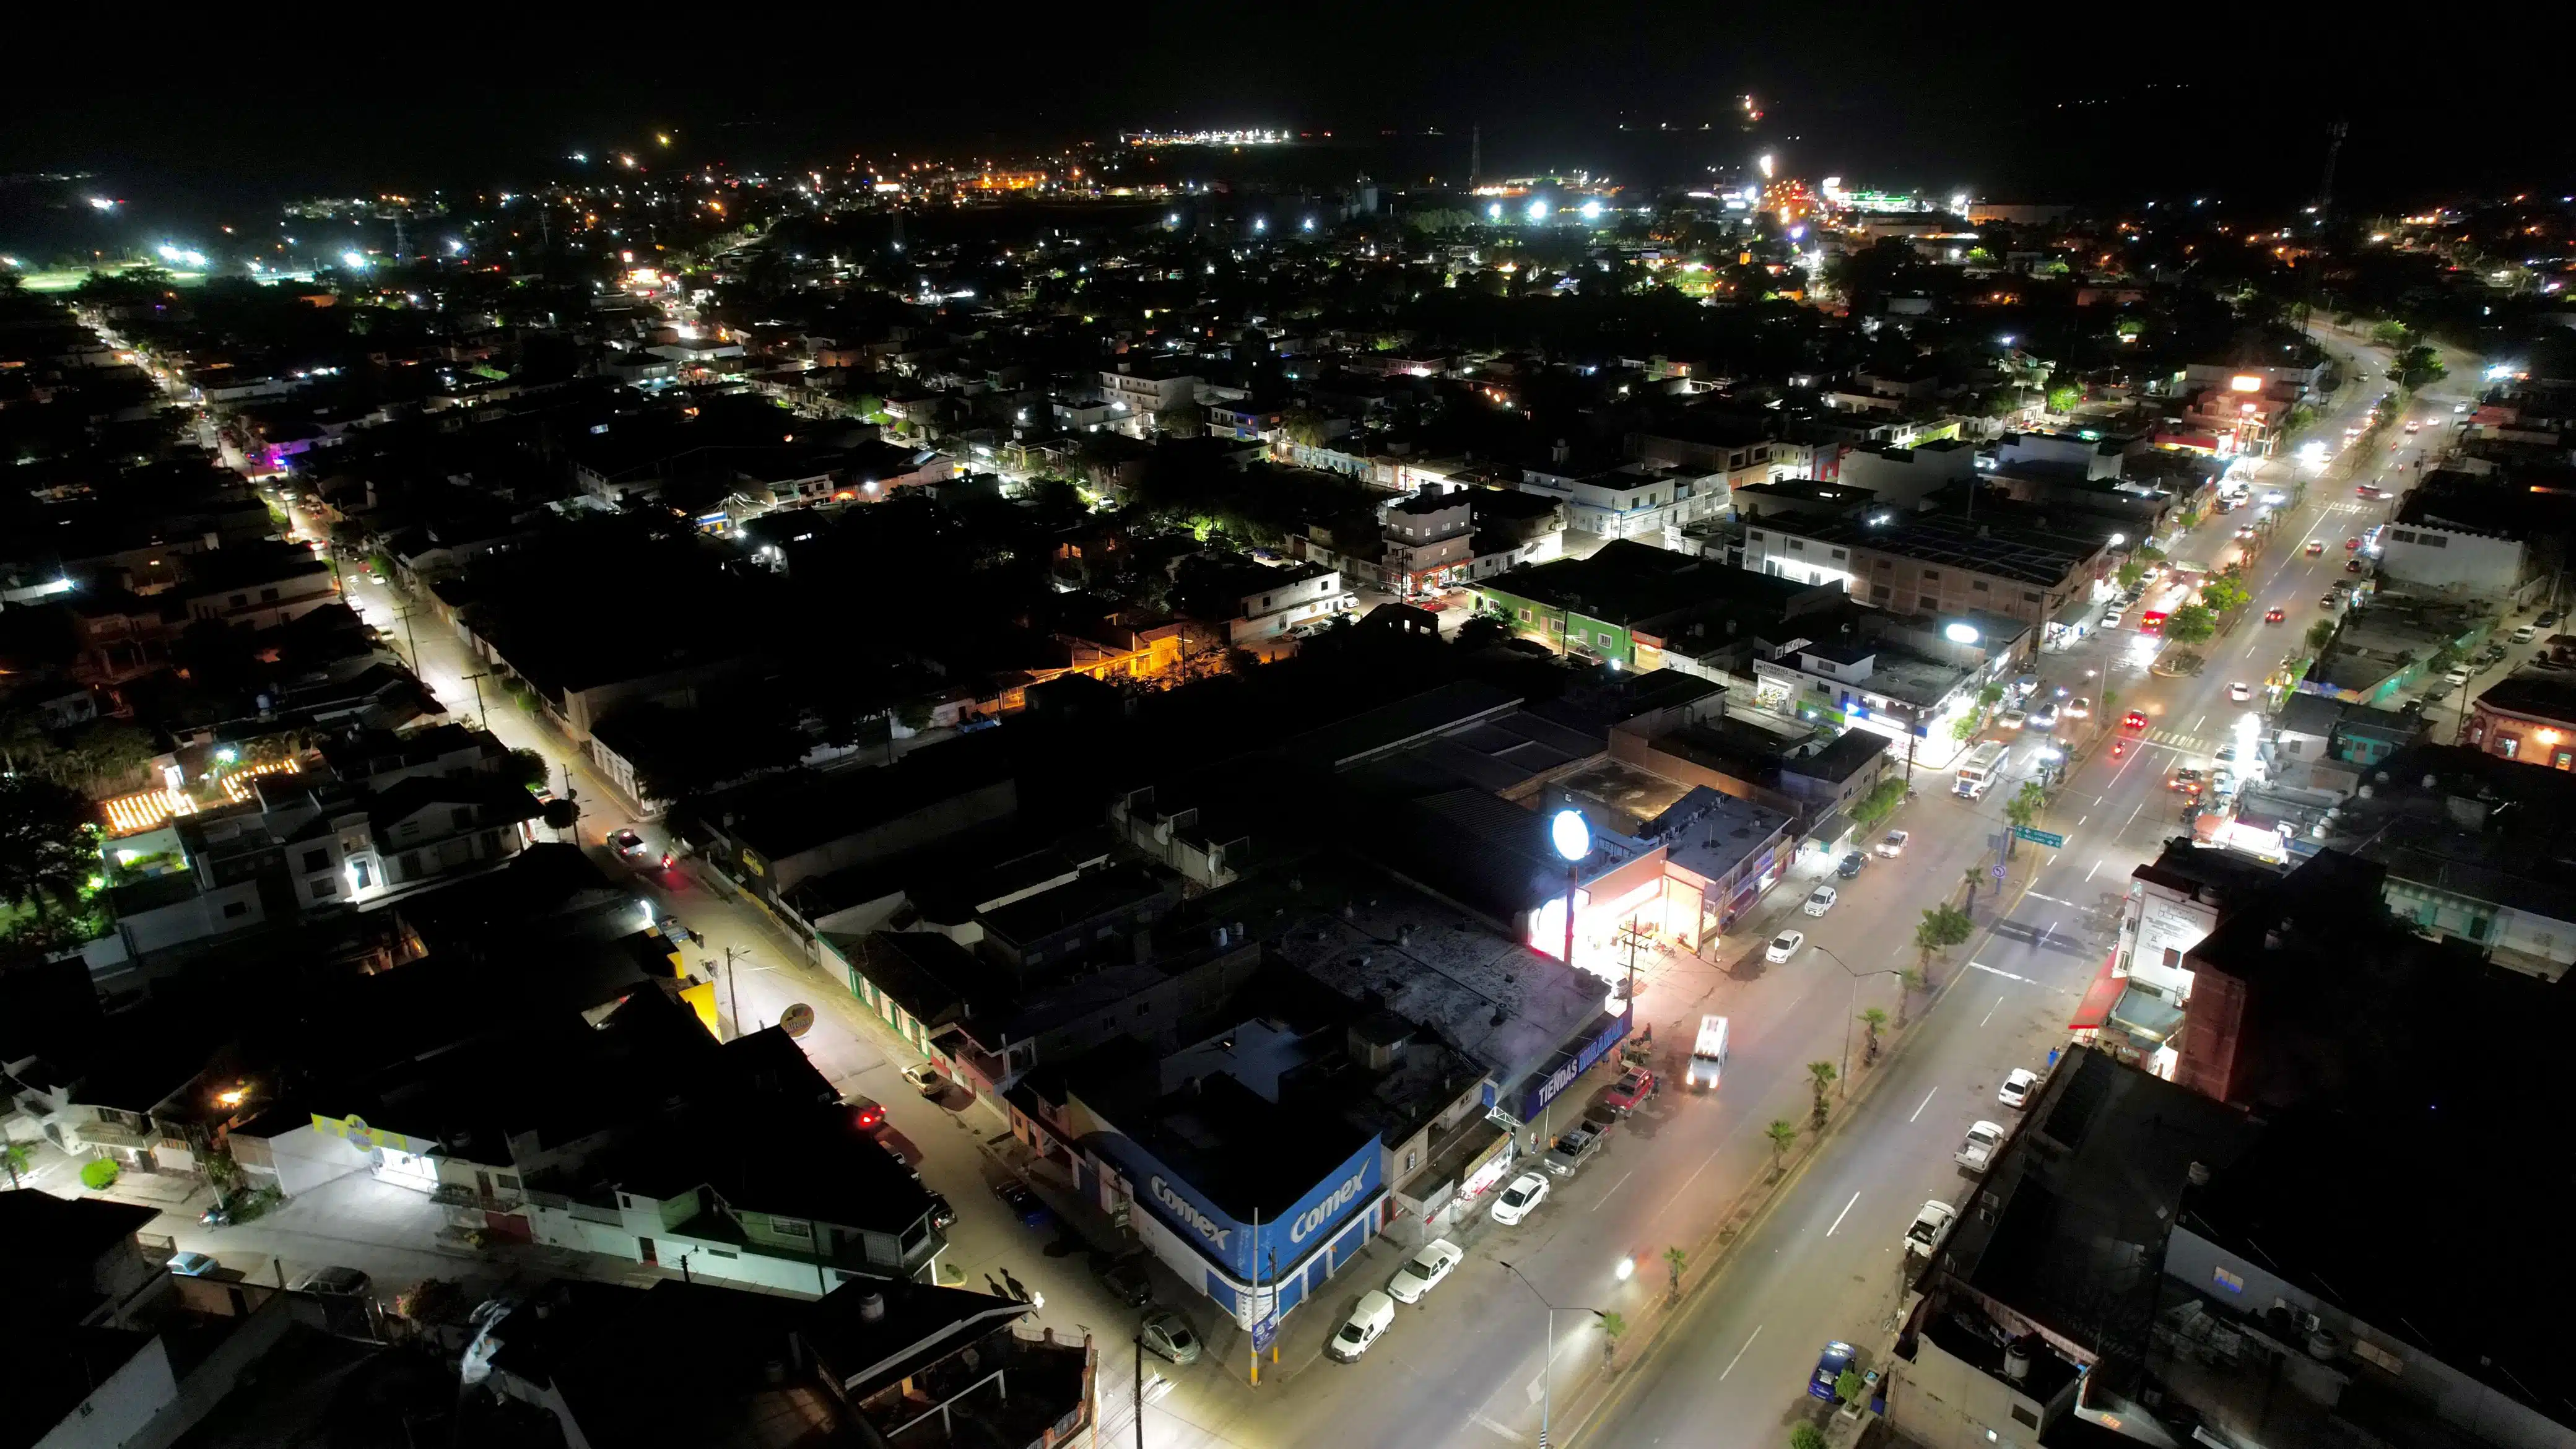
[2108,104]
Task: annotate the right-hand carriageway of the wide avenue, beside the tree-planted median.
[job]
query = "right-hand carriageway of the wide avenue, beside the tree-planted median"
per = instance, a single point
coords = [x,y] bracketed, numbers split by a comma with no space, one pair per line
[1828,1262]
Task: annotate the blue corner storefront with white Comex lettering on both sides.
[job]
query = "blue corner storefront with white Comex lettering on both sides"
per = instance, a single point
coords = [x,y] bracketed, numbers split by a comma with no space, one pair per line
[1245,1265]
